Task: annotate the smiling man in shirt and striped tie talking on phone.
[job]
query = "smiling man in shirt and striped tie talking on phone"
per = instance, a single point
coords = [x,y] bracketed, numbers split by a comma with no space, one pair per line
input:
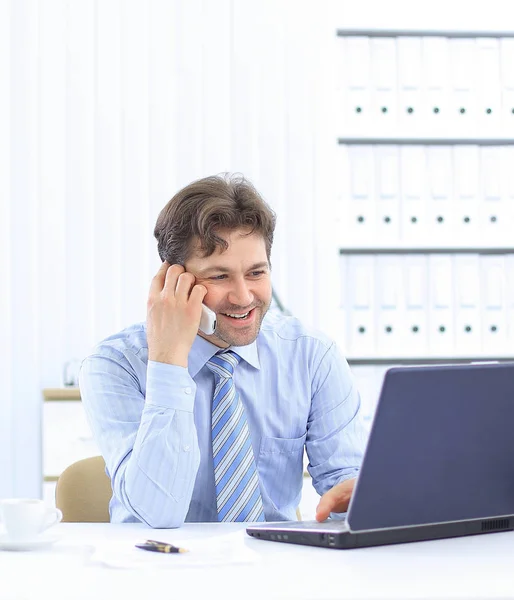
[197,427]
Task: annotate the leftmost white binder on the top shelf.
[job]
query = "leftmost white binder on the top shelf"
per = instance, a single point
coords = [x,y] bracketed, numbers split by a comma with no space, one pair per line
[356,83]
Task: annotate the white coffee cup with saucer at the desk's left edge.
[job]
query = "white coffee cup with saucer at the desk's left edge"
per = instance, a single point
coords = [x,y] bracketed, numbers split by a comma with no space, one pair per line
[25,518]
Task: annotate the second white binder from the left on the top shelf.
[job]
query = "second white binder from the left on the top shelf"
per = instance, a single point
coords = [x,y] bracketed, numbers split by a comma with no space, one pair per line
[384,85]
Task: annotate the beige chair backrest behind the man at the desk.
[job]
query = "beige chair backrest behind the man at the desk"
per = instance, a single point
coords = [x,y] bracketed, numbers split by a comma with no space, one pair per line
[83,492]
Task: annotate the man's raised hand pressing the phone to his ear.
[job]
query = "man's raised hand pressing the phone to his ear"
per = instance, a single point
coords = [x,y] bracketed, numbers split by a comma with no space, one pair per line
[173,314]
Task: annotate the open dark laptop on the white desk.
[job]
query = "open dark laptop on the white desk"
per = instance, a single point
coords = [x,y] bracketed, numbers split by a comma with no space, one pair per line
[439,462]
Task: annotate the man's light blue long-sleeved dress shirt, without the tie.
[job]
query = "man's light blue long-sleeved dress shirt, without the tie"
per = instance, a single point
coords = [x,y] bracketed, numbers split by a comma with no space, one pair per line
[152,421]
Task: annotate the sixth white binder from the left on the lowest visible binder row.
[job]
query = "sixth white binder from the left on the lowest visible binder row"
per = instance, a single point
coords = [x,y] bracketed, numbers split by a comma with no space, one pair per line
[493,306]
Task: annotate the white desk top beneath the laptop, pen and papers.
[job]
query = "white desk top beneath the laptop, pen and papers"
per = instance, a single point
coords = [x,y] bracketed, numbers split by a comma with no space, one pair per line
[473,567]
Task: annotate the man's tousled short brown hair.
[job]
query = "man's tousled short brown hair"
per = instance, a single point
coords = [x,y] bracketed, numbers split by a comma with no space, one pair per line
[202,208]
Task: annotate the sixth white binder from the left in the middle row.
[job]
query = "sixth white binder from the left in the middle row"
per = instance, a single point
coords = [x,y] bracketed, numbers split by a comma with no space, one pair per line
[495,228]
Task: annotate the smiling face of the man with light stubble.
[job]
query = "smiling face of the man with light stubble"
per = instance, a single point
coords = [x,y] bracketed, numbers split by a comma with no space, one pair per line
[238,286]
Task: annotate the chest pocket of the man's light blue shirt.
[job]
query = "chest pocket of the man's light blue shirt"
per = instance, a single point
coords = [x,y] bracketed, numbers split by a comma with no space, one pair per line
[281,460]
